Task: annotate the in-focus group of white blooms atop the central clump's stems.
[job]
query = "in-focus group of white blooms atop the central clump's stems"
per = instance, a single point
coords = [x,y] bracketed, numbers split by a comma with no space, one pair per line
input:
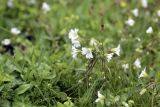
[87,52]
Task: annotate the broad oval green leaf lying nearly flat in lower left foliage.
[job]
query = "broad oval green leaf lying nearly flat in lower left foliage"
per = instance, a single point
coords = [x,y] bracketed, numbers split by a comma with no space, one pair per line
[23,88]
